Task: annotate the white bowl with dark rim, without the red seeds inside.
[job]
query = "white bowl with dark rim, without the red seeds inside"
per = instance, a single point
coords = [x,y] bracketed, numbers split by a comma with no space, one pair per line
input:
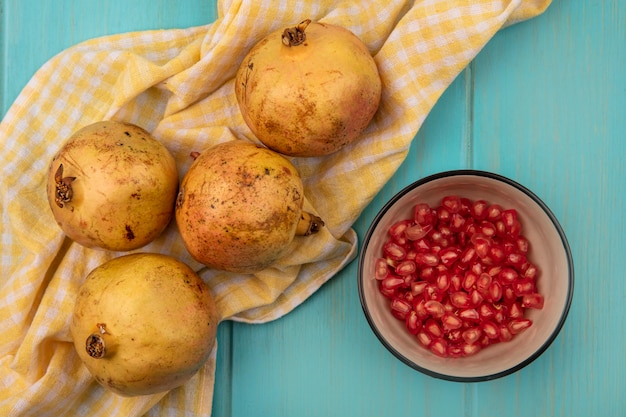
[550,252]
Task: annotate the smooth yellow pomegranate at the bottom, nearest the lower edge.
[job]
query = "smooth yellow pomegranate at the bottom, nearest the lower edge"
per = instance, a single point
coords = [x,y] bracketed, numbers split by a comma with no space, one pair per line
[143,323]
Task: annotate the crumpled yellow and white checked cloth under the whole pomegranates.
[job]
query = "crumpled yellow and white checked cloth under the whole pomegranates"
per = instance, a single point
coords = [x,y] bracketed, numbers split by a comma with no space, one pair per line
[178,84]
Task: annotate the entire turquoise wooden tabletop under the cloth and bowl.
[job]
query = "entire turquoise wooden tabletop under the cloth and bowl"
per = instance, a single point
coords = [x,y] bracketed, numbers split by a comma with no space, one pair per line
[543,104]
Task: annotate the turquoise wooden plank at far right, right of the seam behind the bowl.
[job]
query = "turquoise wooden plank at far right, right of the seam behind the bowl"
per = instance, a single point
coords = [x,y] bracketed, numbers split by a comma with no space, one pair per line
[549,100]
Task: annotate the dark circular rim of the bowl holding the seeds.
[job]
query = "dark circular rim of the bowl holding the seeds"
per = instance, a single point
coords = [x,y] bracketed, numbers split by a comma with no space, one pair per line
[497,177]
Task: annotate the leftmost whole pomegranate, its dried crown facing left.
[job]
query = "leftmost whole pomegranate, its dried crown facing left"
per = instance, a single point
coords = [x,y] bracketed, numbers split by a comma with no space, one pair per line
[112,186]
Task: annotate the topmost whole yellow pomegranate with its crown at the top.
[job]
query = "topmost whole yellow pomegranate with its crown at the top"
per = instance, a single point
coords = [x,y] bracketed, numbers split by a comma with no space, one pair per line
[308,90]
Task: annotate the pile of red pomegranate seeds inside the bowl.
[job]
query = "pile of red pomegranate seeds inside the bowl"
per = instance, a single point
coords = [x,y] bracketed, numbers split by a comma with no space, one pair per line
[458,275]
